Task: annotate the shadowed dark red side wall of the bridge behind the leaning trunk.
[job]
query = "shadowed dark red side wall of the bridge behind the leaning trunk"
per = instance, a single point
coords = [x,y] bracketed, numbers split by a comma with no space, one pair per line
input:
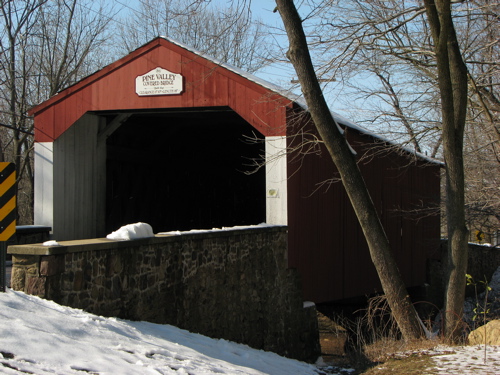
[326,243]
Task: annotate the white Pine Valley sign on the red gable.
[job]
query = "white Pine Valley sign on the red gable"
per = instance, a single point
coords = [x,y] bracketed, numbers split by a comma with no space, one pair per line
[158,81]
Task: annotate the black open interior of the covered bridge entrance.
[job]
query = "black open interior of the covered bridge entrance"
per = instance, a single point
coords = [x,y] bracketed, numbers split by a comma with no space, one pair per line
[181,170]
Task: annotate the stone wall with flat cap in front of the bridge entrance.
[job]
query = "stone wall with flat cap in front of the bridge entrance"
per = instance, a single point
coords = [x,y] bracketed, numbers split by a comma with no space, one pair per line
[231,284]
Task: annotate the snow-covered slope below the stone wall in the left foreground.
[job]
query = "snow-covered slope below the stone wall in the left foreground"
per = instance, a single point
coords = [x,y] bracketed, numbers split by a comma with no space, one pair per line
[41,337]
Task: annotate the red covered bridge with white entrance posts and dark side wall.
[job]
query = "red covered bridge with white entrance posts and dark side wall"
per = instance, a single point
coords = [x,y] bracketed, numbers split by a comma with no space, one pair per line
[170,137]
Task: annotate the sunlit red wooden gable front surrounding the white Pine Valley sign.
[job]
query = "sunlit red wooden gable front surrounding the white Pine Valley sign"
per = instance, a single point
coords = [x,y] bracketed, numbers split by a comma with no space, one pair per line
[206,85]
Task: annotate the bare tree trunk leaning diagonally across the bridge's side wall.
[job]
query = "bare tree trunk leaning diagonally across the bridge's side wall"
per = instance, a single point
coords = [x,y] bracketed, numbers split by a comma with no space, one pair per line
[380,252]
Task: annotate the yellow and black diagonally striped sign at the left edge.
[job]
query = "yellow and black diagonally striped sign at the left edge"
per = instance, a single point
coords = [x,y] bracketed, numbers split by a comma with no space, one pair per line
[7,201]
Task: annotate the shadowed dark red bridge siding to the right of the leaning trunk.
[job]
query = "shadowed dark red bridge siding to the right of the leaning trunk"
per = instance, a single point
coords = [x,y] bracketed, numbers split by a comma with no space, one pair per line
[399,186]
